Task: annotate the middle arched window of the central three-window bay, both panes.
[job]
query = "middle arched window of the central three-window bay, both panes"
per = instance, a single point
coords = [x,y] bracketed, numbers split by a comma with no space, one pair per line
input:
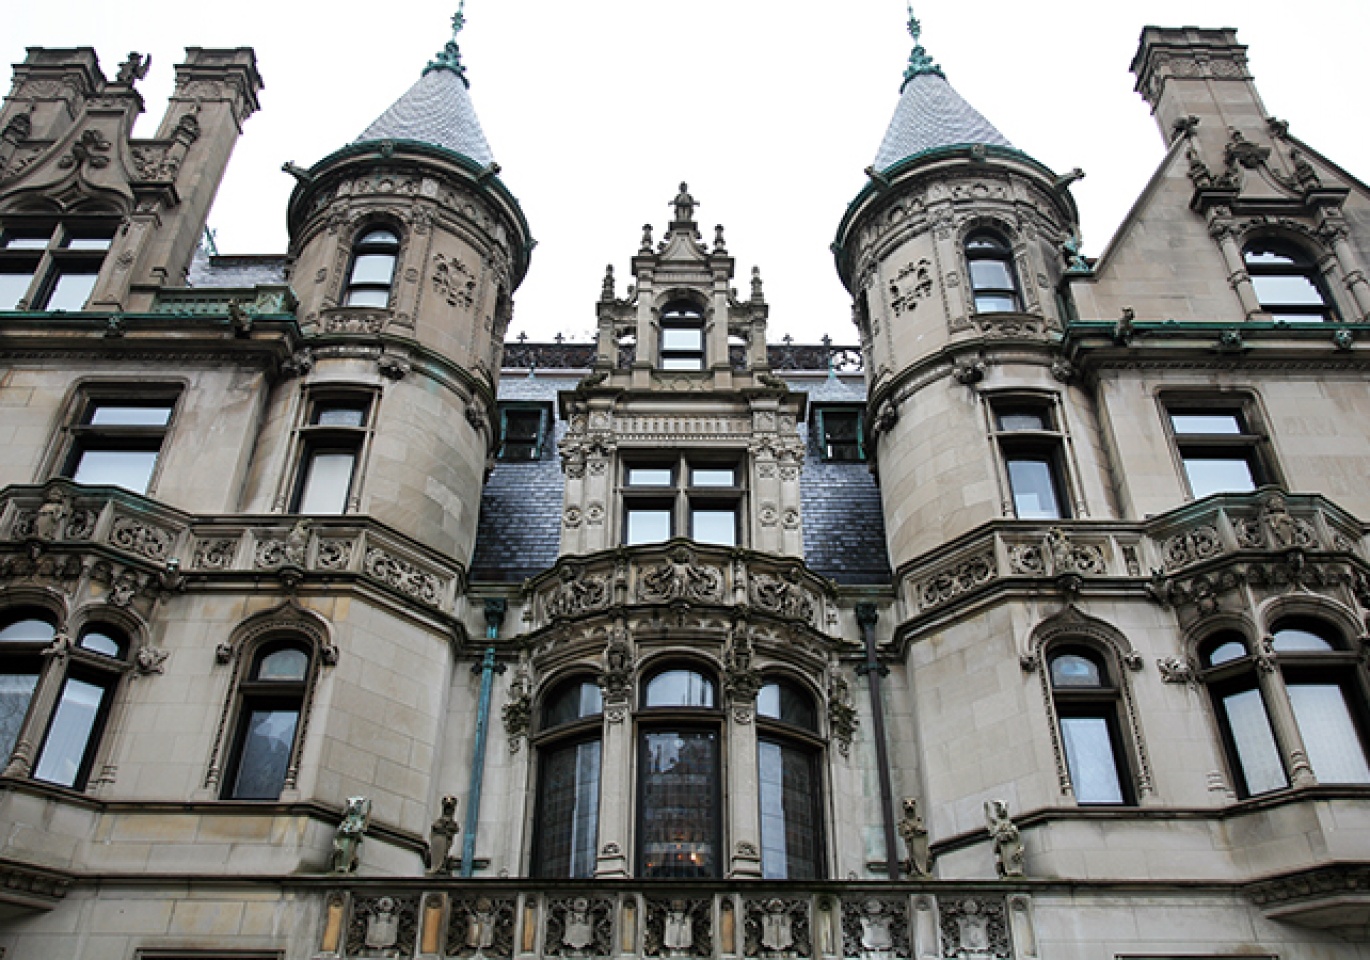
[679,791]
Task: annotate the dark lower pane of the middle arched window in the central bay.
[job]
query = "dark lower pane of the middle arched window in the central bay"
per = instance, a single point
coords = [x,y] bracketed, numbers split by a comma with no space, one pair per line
[679,792]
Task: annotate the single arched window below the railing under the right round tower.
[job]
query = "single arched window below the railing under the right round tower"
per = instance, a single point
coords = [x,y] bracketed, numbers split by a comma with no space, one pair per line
[1087,703]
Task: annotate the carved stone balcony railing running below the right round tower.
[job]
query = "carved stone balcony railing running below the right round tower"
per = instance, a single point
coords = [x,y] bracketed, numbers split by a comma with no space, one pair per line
[1076,553]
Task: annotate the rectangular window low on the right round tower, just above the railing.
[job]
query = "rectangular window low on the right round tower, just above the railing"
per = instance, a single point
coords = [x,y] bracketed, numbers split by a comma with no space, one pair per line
[1031,447]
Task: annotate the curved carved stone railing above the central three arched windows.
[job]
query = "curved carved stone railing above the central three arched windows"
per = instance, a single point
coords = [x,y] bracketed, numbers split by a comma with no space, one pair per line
[682,573]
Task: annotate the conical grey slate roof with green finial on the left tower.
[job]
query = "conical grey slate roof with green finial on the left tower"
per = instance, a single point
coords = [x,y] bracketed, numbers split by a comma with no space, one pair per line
[438,110]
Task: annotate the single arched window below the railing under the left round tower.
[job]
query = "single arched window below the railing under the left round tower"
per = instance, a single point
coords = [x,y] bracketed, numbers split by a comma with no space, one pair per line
[271,702]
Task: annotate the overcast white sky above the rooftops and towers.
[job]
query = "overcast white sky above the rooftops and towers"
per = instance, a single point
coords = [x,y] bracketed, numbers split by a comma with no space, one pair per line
[771,110]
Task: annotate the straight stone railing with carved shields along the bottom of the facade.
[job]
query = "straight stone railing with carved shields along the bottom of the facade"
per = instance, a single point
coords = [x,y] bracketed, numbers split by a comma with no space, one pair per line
[443,918]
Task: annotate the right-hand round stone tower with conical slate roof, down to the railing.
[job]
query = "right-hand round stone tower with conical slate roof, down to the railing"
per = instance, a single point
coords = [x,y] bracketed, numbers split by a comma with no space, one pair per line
[954,254]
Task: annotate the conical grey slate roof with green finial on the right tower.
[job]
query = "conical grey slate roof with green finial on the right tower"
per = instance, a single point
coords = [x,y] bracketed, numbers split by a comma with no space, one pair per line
[931,114]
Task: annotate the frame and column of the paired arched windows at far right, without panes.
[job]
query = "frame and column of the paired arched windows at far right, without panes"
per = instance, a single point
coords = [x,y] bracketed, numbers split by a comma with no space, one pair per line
[1268,670]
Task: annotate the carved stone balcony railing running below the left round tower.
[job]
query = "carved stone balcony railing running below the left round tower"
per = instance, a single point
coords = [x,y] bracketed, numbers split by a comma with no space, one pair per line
[164,547]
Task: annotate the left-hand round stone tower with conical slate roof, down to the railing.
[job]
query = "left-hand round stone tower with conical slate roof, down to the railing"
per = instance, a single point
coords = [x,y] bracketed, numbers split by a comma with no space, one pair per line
[406,251]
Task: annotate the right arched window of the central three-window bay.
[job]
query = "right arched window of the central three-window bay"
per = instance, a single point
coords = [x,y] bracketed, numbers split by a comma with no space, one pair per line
[790,783]
